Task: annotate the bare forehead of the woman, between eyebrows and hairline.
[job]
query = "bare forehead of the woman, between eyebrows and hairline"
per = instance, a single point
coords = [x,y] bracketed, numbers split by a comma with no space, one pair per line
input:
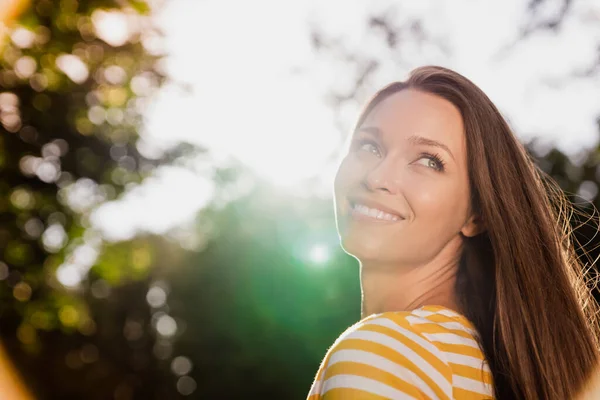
[409,112]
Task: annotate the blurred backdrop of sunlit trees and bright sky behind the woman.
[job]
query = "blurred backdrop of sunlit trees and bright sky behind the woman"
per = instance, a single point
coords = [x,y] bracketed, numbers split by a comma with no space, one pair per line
[166,220]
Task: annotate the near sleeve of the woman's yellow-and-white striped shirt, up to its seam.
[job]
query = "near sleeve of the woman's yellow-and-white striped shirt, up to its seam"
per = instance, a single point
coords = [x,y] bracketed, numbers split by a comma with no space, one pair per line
[383,357]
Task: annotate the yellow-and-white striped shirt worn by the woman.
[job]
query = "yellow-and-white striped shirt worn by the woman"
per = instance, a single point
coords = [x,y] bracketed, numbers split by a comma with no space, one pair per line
[427,353]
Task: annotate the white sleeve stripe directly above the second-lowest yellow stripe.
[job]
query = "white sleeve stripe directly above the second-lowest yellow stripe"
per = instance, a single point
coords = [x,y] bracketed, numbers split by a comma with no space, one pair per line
[382,363]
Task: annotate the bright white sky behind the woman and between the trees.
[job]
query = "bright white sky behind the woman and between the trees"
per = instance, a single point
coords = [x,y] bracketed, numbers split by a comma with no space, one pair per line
[259,89]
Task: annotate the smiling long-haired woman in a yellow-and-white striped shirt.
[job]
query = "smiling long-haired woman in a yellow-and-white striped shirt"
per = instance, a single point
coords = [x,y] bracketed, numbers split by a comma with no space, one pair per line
[471,288]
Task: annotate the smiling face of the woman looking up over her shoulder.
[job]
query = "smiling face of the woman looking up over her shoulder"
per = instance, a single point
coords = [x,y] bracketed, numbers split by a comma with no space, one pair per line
[402,191]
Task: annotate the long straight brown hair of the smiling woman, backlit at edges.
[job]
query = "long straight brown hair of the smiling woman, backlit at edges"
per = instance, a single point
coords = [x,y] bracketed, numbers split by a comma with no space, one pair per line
[519,282]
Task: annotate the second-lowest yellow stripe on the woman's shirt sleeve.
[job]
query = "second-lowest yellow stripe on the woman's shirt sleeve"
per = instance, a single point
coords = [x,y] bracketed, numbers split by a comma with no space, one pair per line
[379,375]
